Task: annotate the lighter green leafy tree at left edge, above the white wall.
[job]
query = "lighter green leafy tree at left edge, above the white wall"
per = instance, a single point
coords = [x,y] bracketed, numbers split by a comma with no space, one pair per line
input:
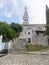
[7,32]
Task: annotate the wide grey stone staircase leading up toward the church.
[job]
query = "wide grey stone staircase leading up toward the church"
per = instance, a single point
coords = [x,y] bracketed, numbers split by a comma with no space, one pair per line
[19,47]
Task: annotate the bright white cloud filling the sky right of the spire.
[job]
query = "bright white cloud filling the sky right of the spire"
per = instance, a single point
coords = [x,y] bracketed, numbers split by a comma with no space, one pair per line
[36,10]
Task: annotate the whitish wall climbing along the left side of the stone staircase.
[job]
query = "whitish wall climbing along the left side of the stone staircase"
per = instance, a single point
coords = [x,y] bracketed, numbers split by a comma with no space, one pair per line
[7,45]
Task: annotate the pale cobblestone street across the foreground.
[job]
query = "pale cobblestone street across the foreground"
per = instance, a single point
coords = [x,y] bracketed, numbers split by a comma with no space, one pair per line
[24,59]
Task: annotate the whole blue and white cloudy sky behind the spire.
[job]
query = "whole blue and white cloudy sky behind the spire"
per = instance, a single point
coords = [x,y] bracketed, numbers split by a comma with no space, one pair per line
[13,10]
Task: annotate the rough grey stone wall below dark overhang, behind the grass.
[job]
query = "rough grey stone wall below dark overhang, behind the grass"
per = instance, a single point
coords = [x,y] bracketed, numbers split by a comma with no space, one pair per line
[40,40]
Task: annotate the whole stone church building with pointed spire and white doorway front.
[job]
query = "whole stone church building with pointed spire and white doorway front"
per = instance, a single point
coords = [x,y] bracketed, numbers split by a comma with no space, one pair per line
[33,33]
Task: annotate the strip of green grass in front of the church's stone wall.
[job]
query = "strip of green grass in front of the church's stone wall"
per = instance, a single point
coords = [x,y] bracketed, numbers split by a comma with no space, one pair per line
[37,47]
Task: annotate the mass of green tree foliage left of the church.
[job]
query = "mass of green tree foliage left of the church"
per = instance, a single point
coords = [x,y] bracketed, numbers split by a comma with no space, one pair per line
[8,32]
